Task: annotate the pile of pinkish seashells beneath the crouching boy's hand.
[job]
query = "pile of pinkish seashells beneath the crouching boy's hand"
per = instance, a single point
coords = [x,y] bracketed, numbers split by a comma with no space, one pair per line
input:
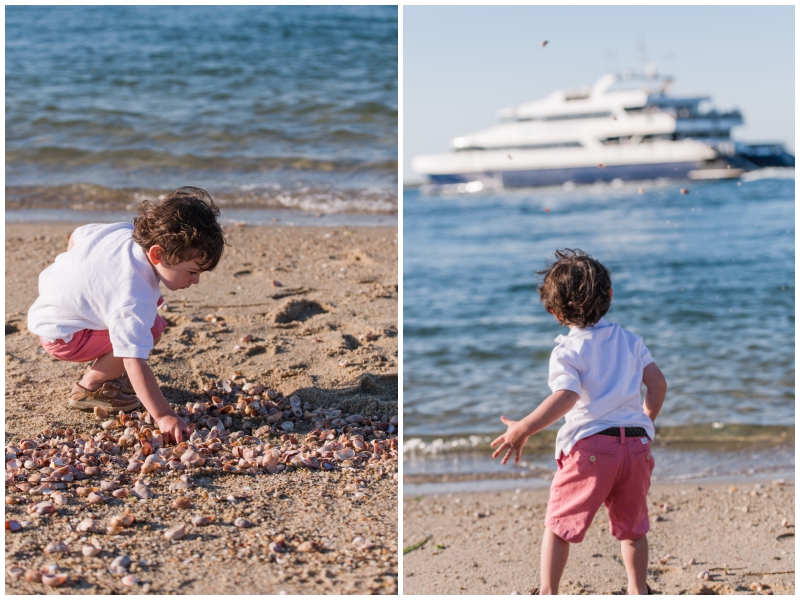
[56,463]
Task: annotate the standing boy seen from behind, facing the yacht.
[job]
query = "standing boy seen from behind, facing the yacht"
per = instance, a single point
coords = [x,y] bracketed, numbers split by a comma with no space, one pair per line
[603,450]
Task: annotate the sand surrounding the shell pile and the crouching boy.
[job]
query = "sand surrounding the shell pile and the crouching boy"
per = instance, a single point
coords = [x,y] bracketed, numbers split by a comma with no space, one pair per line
[320,307]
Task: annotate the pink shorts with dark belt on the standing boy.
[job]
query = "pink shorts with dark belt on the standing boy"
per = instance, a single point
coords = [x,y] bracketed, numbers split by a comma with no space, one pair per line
[602,469]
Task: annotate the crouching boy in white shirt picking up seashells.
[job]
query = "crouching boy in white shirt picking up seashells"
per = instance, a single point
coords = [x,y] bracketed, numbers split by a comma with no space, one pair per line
[98,301]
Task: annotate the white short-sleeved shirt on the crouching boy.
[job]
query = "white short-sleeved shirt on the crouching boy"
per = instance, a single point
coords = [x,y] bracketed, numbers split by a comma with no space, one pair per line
[104,282]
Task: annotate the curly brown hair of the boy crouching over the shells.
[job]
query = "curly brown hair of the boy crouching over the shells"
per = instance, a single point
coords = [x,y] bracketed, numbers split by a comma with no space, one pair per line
[184,224]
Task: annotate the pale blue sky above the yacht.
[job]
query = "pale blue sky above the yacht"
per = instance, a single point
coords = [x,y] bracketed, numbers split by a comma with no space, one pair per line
[462,63]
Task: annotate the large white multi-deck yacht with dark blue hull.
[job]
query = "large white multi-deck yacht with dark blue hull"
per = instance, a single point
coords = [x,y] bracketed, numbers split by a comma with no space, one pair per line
[623,127]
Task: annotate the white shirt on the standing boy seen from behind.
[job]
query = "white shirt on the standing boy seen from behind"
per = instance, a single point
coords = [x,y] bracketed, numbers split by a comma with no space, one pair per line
[603,364]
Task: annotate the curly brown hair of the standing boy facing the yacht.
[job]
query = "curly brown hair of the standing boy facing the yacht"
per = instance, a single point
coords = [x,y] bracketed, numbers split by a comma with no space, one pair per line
[576,288]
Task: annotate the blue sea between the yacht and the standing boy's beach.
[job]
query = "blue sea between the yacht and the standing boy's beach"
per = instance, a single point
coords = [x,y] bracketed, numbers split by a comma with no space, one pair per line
[706,278]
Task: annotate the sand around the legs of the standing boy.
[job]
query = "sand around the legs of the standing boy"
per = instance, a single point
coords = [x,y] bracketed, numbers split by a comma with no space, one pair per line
[489,542]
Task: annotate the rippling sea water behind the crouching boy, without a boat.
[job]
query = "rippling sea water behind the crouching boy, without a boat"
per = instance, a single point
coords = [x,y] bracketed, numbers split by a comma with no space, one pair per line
[264,106]
